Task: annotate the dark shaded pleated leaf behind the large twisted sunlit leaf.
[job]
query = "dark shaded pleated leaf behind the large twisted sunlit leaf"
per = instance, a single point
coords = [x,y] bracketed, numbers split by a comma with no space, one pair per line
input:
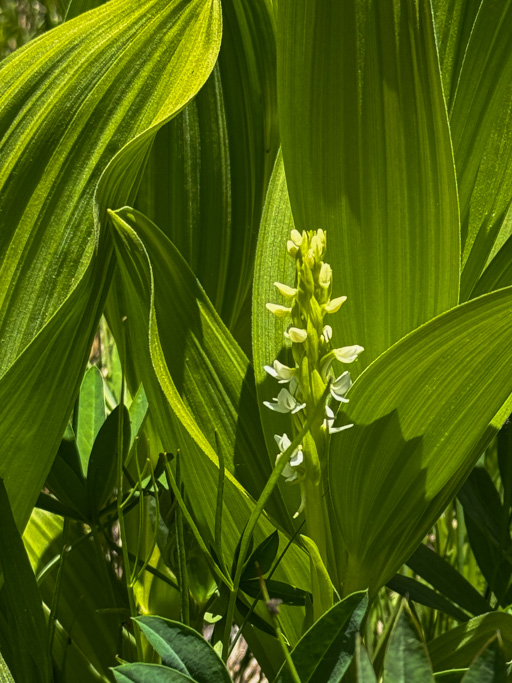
[207,174]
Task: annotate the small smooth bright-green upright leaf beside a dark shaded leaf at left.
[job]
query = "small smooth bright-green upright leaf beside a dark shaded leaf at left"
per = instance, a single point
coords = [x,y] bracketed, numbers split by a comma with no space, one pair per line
[91,413]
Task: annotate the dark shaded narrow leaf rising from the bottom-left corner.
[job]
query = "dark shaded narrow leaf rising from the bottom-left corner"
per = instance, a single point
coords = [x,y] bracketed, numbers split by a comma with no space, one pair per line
[21,603]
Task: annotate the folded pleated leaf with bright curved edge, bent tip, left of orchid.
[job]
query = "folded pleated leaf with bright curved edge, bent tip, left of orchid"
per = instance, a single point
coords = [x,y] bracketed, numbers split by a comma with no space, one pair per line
[197,382]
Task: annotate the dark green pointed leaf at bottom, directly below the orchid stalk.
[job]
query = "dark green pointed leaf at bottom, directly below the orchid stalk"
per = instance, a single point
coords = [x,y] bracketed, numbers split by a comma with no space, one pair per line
[325,651]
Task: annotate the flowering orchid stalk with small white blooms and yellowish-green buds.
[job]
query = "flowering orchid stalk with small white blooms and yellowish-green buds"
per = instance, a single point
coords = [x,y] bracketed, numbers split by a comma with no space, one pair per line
[304,383]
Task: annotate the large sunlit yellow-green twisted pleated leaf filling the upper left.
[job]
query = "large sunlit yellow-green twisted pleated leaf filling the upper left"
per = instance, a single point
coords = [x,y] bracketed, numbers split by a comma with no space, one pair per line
[79,109]
